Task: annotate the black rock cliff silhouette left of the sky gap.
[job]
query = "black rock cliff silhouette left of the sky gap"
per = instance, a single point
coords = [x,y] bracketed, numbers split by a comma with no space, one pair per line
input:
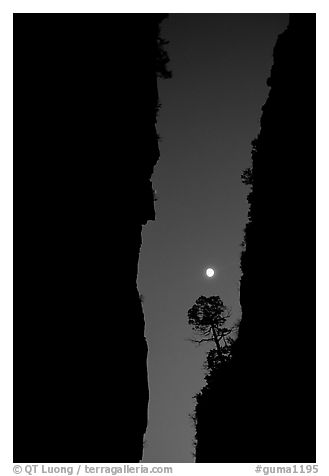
[85,109]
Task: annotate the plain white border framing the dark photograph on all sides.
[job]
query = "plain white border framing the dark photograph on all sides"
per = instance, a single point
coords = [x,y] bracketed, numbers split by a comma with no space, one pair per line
[6,190]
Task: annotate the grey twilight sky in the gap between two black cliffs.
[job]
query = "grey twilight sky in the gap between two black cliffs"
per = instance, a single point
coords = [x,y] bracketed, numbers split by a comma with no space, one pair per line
[210,114]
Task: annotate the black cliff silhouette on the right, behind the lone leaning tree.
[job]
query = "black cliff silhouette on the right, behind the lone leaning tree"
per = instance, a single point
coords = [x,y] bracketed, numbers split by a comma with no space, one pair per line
[264,398]
